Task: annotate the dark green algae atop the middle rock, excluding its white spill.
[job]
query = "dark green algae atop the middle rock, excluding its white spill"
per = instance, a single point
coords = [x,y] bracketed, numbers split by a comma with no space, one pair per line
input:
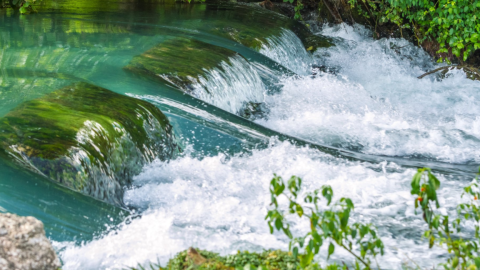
[180,61]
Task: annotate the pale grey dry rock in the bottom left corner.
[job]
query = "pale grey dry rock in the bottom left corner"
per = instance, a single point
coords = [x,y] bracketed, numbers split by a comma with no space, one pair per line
[24,246]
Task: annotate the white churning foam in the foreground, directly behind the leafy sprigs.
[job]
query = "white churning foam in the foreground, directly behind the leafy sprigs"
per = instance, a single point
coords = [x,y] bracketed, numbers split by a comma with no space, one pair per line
[219,203]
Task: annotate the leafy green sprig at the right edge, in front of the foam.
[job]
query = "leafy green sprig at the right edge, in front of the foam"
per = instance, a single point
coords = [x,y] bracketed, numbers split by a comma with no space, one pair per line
[444,230]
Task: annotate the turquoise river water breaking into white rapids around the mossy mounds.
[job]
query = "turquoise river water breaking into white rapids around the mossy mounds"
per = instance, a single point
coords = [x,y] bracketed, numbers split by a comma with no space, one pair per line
[353,116]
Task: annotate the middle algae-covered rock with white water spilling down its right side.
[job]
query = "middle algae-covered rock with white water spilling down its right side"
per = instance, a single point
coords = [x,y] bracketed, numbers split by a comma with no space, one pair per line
[211,73]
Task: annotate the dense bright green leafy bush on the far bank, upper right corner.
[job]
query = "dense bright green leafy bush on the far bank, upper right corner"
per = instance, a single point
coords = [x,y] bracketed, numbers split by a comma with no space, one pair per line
[453,24]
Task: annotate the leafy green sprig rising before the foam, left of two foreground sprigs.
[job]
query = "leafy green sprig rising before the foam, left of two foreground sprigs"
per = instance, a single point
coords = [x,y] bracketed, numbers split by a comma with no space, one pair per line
[327,226]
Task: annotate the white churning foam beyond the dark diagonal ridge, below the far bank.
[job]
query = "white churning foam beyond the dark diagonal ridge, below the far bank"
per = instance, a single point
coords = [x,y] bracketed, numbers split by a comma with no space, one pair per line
[375,103]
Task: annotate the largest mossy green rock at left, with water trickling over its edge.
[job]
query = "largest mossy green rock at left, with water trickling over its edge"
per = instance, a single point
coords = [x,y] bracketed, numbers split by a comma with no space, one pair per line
[87,138]
